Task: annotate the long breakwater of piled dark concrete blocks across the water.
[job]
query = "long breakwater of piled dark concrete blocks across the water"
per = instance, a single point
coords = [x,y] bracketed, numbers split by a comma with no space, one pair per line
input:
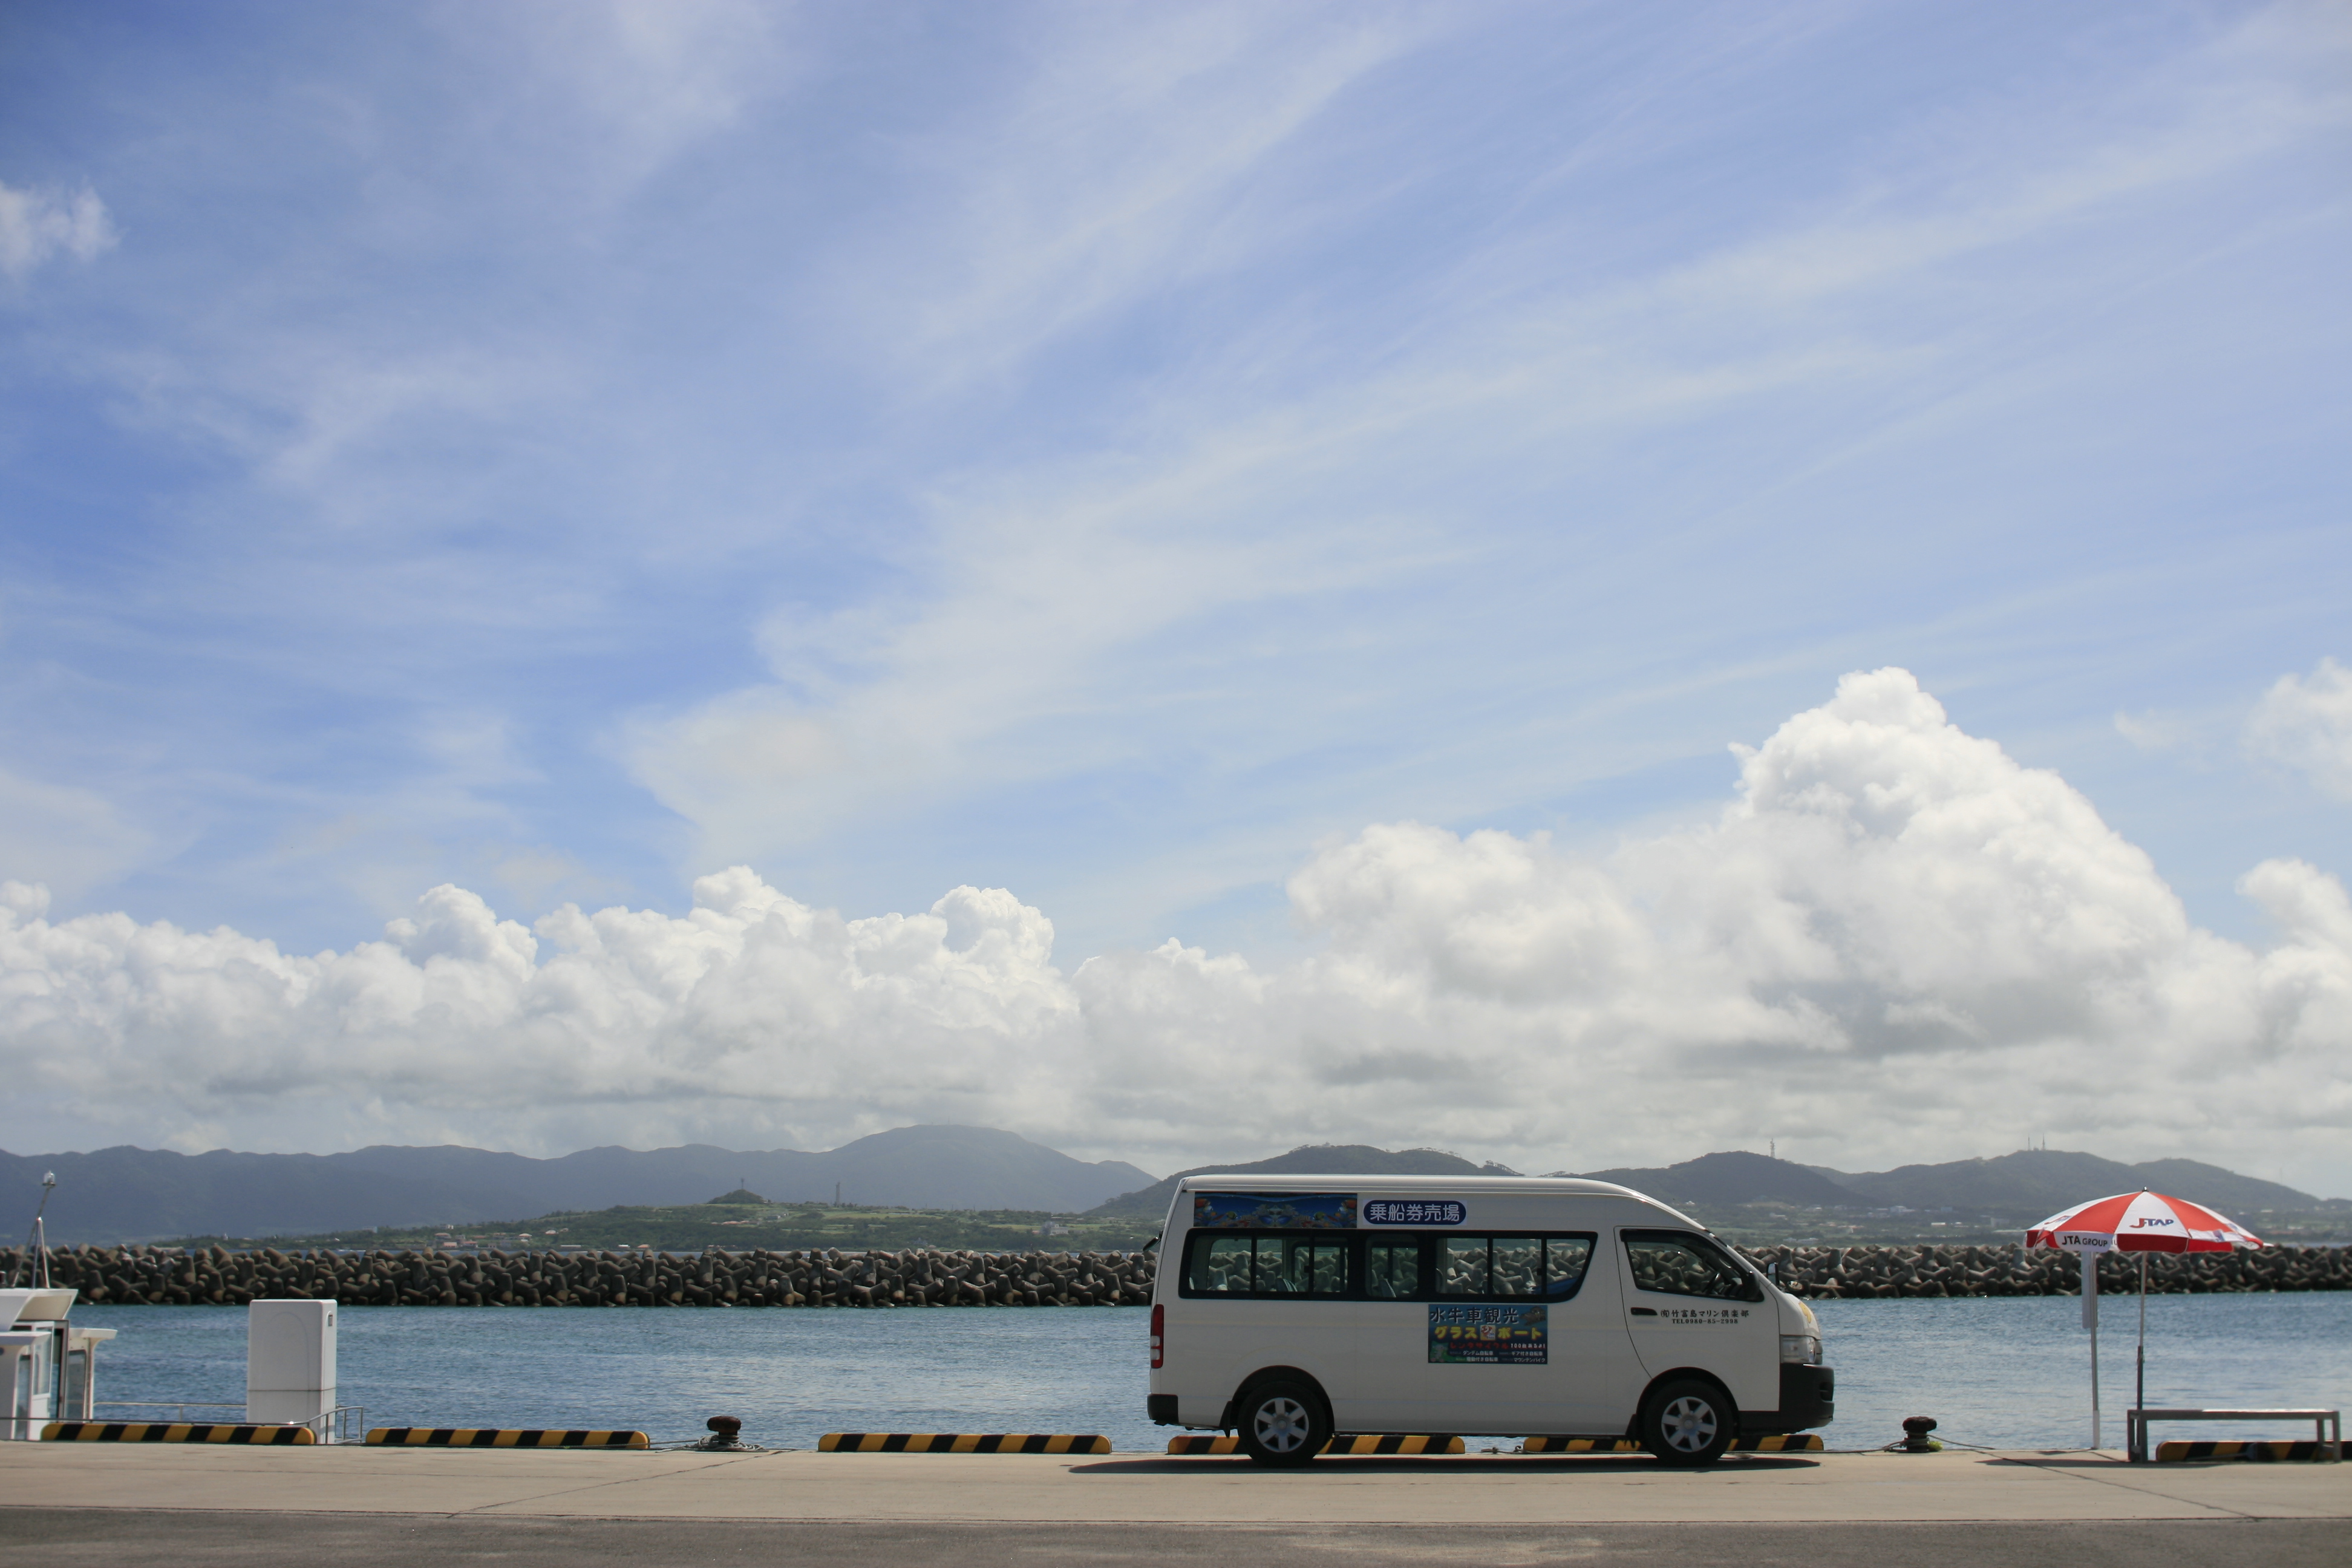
[168,1275]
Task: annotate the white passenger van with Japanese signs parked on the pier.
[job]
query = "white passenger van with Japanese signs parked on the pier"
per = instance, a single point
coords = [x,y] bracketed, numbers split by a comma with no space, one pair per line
[1290,1308]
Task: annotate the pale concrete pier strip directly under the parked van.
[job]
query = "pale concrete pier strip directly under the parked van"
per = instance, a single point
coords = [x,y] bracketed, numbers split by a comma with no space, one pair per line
[1022,1489]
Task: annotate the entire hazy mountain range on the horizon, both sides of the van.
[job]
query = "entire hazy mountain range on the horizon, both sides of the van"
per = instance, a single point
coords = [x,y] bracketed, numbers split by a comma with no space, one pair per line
[135,1195]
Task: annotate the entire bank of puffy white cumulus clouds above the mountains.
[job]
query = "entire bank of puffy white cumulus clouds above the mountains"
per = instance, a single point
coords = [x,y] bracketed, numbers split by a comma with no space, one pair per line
[1895,944]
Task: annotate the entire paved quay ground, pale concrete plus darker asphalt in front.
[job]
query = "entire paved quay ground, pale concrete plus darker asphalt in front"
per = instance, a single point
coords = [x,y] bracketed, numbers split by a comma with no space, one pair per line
[86,1503]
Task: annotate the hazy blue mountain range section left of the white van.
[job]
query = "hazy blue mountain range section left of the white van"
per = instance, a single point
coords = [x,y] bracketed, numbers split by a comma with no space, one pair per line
[135,1195]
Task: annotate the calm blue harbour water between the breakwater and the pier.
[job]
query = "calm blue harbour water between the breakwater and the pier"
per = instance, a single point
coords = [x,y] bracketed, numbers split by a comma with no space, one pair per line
[2012,1374]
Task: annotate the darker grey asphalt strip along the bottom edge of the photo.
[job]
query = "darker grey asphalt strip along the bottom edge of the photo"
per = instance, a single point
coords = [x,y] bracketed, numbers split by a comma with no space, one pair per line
[107,1539]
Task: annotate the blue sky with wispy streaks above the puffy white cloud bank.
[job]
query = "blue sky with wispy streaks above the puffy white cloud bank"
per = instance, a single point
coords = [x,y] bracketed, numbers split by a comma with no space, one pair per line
[1109,453]
